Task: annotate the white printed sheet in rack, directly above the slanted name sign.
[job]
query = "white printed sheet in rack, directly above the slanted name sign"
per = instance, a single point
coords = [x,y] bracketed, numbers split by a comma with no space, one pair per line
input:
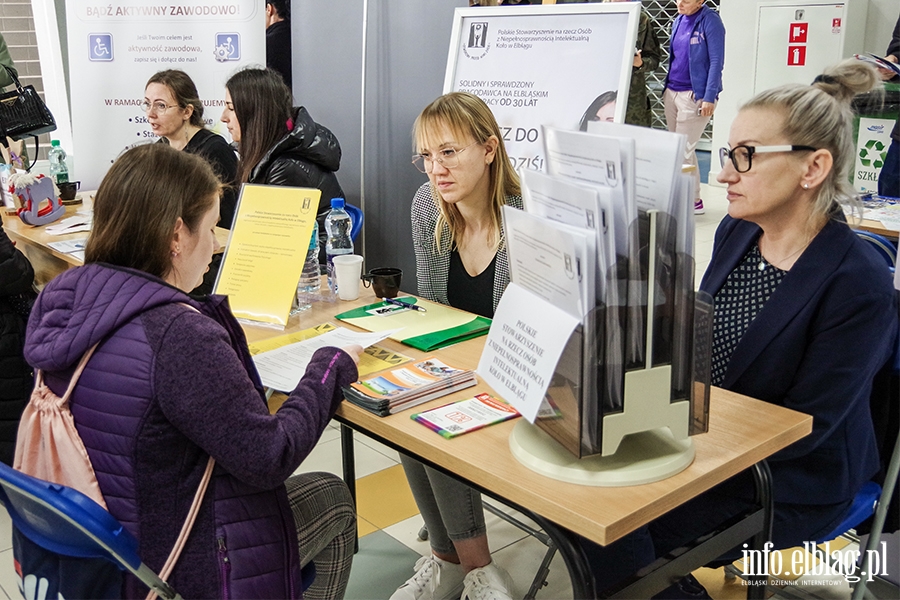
[545,258]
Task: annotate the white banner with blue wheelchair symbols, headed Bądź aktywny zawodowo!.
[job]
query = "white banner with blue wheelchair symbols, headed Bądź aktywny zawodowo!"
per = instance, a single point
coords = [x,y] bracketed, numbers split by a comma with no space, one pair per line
[115,47]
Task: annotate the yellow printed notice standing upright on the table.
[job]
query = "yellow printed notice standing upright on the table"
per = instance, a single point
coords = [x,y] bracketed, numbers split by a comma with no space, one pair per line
[266,251]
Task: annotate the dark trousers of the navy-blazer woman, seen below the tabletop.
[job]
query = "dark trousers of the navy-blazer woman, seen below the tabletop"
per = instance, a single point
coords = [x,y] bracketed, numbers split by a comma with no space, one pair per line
[793,525]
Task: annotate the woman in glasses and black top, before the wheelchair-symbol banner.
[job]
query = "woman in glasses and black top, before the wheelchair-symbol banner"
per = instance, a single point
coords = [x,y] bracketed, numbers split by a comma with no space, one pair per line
[175,114]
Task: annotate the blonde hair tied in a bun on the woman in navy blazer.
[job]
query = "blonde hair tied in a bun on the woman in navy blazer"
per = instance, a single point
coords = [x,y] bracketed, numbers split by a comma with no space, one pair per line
[819,116]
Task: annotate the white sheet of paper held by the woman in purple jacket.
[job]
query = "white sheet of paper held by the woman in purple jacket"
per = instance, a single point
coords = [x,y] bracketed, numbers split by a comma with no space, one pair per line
[281,369]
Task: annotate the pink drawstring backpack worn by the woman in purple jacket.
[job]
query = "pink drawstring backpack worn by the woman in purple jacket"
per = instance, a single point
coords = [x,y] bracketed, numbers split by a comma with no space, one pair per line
[49,447]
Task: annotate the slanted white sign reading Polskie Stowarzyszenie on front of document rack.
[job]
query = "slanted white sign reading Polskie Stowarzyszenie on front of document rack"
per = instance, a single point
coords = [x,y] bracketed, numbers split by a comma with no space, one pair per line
[527,337]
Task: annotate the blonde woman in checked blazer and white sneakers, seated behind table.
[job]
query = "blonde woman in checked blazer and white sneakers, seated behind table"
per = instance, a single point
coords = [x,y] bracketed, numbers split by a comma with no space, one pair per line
[461,261]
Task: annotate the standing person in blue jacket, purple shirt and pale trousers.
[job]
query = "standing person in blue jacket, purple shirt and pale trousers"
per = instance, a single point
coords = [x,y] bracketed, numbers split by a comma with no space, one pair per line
[696,58]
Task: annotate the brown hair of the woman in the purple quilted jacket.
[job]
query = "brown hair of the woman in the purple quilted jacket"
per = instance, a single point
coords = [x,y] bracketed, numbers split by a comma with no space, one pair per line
[139,202]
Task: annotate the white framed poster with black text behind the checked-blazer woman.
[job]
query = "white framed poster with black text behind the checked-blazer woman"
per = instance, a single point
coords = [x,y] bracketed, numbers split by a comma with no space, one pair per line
[560,65]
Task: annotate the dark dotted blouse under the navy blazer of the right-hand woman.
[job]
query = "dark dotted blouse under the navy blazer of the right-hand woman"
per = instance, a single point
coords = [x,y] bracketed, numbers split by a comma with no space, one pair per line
[744,294]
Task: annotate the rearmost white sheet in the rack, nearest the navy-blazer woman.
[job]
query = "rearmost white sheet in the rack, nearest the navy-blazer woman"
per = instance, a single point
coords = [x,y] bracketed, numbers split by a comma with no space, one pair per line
[657,156]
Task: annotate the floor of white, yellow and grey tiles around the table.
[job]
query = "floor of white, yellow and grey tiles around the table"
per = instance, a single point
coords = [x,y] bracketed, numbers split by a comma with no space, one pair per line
[389,522]
